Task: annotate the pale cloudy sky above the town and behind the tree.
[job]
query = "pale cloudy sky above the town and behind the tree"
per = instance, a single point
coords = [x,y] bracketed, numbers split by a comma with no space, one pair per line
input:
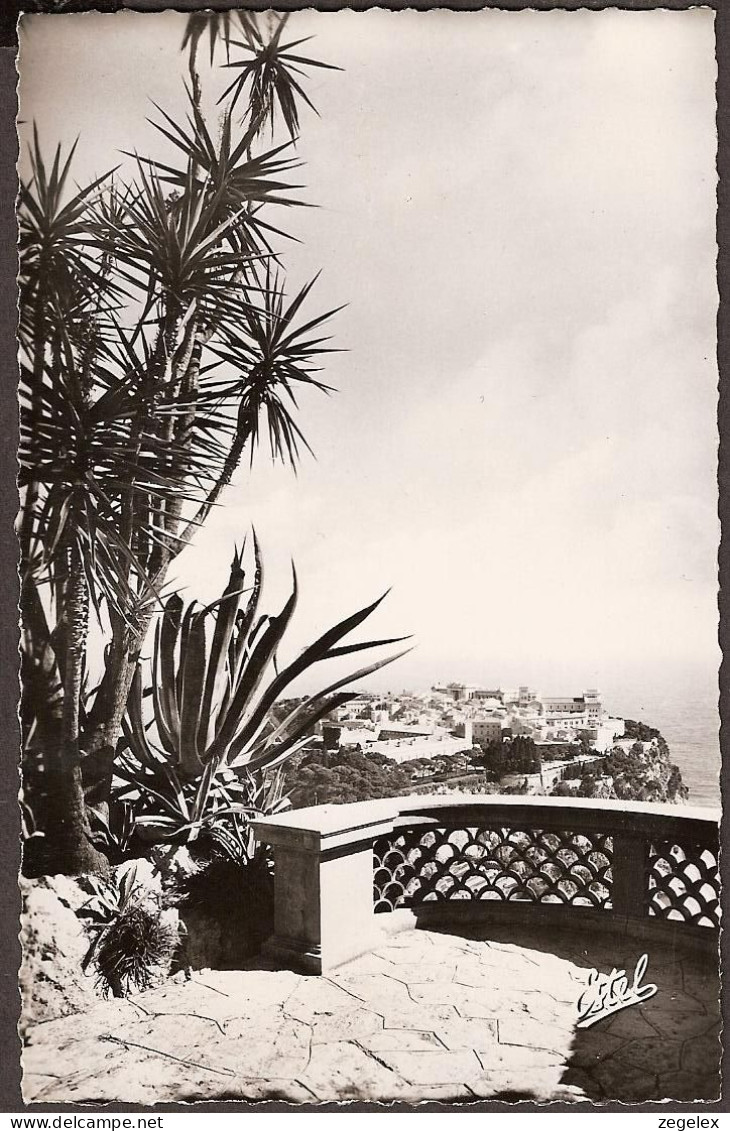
[519,211]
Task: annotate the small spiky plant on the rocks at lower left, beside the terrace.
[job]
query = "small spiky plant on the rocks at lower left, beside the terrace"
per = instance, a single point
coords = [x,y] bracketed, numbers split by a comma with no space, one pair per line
[133,937]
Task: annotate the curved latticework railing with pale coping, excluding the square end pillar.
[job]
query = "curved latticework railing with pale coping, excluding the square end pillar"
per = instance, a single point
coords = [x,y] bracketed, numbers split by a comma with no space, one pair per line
[665,859]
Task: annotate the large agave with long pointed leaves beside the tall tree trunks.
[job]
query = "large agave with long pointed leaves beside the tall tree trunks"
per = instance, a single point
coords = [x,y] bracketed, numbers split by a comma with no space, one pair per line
[204,759]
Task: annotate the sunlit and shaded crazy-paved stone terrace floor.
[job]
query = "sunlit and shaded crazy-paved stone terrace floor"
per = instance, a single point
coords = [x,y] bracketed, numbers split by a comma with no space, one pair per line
[431,1016]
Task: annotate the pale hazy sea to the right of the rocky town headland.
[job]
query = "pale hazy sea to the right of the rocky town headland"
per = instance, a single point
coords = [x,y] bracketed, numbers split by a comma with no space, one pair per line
[684,706]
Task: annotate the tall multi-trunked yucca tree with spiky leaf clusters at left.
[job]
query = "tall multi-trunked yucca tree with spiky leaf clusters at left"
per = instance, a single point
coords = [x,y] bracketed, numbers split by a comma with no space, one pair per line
[157,348]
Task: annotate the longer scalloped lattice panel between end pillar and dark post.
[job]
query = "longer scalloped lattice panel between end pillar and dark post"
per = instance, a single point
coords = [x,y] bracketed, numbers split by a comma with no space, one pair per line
[493,864]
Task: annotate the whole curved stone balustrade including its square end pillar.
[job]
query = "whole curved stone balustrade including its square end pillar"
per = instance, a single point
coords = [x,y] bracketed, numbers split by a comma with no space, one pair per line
[340,868]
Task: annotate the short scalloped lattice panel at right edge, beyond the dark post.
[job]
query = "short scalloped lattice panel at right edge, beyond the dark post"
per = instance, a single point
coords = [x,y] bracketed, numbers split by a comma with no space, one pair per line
[684,883]
